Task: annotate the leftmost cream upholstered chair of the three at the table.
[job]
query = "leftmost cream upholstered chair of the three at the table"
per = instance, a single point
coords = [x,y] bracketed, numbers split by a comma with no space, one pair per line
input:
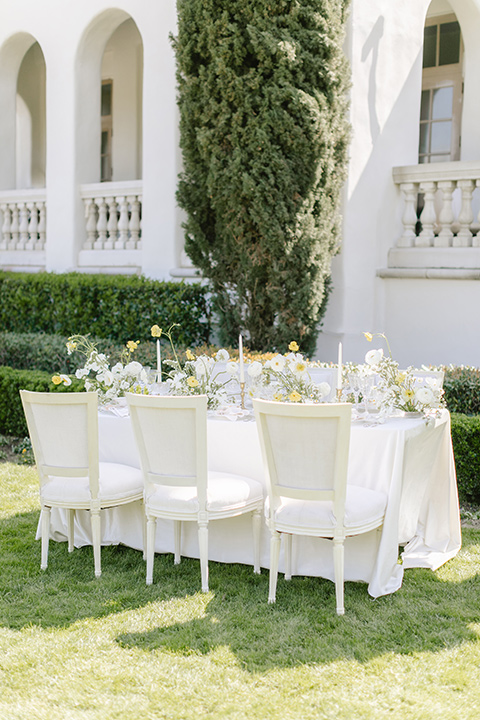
[64,433]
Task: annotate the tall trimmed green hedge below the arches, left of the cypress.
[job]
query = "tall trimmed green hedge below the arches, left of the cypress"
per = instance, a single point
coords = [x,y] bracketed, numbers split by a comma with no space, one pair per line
[116,307]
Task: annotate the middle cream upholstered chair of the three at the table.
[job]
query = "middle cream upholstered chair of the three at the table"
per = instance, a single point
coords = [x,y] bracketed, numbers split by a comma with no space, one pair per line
[171,435]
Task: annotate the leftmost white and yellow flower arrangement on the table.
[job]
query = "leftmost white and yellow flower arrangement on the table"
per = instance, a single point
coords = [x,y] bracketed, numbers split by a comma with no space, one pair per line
[110,382]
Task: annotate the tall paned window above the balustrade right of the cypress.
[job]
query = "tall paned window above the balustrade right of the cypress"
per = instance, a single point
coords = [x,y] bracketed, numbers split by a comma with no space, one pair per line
[442,87]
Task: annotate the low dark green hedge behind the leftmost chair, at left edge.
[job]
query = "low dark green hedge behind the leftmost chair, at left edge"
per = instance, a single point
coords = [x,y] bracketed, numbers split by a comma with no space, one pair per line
[12,418]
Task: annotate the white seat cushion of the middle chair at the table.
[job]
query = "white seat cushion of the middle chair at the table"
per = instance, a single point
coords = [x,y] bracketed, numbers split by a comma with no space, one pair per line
[225,492]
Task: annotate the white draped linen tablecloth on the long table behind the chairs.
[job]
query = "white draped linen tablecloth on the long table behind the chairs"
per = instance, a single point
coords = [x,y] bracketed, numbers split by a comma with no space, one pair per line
[409,459]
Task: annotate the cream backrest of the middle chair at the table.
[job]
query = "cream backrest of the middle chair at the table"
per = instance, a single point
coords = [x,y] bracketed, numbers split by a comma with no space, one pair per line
[171,436]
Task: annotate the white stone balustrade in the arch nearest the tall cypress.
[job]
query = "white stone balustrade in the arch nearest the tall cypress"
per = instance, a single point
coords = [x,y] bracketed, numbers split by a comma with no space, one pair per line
[113,215]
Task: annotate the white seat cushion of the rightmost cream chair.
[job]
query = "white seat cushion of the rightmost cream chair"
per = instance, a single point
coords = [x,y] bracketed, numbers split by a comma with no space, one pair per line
[362,506]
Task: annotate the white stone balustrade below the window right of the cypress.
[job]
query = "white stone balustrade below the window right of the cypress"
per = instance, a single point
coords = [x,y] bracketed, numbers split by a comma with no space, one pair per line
[440,205]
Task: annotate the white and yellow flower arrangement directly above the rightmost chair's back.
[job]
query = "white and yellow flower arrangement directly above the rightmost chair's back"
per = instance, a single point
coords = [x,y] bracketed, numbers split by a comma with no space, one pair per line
[285,378]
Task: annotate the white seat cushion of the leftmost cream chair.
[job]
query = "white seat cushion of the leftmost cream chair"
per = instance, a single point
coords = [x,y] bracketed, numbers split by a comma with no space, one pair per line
[116,483]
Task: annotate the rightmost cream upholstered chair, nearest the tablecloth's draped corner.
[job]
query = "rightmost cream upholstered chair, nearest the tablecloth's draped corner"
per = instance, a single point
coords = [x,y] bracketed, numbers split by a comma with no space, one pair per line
[305,451]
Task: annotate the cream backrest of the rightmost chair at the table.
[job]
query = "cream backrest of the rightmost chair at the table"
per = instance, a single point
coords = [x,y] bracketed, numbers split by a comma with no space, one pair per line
[305,451]
